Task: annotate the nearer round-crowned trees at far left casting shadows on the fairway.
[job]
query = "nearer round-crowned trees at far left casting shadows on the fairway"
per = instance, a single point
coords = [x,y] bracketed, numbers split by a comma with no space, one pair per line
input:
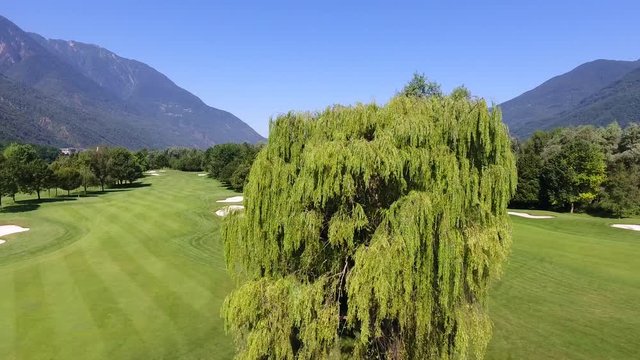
[24,169]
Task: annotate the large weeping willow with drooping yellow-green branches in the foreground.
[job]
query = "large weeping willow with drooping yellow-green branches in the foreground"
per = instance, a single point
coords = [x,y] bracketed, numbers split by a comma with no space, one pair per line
[372,232]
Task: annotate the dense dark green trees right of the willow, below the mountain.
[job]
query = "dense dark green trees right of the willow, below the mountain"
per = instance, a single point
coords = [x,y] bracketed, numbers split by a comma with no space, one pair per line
[585,168]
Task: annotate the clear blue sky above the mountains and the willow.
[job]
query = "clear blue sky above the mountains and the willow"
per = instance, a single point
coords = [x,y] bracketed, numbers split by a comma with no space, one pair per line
[258,59]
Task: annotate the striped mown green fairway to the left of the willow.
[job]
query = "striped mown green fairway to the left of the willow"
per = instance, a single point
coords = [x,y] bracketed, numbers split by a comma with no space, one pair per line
[131,274]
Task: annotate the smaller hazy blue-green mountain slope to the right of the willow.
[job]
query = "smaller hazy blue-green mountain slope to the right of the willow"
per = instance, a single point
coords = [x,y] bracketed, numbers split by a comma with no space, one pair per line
[597,92]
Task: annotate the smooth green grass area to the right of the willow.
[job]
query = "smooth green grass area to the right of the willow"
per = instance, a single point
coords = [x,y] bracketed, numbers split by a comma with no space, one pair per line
[571,290]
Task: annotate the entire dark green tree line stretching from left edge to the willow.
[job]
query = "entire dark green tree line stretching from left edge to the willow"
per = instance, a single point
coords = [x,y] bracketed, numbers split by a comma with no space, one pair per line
[31,168]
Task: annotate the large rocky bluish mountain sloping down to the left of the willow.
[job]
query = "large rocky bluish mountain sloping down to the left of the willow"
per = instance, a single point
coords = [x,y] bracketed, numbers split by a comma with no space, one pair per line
[88,95]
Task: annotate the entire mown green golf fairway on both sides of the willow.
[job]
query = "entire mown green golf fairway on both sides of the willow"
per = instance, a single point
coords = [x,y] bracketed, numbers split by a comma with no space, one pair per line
[139,274]
